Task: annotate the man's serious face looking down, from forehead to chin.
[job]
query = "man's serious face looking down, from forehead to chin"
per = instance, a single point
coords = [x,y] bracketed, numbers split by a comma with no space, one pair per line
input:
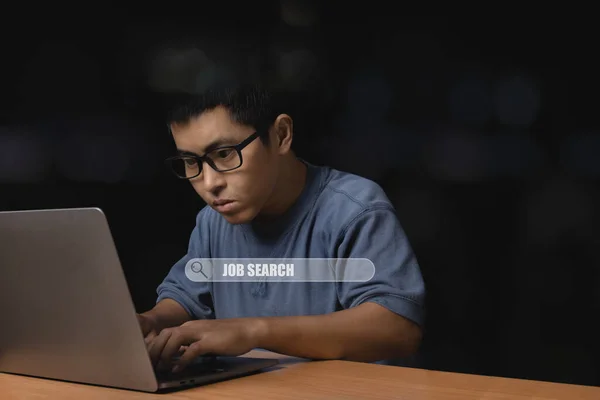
[240,194]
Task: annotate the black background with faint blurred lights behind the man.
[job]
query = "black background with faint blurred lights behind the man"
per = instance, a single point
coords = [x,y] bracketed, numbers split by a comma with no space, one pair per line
[481,127]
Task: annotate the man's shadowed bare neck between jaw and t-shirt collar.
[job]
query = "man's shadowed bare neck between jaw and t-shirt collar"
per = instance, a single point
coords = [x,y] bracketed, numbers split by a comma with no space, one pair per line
[290,185]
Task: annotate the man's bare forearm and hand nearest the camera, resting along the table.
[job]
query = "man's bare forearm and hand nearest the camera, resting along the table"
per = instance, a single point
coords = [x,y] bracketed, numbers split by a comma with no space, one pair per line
[366,333]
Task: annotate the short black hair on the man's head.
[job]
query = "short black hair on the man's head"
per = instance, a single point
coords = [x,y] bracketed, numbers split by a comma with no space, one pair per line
[251,105]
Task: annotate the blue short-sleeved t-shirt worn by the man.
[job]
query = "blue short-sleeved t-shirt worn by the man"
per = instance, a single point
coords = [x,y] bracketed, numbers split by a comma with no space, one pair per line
[338,215]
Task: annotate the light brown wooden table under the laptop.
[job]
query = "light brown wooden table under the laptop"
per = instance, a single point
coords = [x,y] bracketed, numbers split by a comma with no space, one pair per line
[296,379]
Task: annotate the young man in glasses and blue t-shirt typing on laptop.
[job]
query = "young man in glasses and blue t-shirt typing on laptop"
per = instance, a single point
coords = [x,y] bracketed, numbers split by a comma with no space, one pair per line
[264,202]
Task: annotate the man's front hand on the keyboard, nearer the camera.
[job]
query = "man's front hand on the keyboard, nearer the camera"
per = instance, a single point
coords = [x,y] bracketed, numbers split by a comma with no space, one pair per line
[229,337]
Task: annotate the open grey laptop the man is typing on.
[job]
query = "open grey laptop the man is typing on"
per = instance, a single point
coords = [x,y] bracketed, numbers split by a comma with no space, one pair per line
[67,313]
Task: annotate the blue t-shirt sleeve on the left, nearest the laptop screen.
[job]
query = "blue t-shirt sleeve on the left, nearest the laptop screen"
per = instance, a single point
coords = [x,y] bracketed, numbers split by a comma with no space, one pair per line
[193,295]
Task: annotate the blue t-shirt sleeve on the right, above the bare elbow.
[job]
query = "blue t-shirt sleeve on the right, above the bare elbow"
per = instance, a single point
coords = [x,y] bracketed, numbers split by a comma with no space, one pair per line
[397,284]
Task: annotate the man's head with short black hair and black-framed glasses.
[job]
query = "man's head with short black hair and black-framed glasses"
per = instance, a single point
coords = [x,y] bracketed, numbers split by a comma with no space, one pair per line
[239,133]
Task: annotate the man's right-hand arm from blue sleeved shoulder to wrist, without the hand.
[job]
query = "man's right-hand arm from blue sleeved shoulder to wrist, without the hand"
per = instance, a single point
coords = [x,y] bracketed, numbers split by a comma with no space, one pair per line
[382,317]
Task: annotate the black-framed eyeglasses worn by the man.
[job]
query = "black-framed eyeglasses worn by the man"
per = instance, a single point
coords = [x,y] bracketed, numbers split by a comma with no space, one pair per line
[221,159]
